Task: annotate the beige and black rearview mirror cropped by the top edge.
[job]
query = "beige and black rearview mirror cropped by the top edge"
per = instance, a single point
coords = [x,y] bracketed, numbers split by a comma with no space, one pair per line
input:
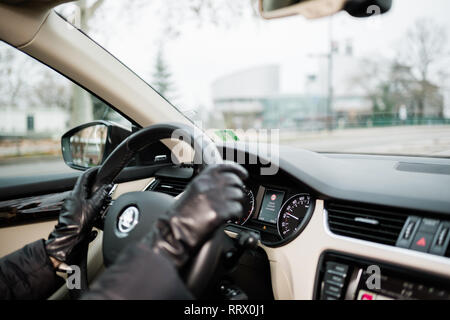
[313,9]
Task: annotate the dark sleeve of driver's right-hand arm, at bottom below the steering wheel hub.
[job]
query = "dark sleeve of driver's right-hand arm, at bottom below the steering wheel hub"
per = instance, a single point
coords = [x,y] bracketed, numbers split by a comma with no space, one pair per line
[140,274]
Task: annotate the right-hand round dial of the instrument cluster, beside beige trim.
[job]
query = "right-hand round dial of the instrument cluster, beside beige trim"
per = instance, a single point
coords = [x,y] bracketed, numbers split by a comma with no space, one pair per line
[292,214]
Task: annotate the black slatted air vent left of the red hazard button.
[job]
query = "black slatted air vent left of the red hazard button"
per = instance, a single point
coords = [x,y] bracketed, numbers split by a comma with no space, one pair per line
[377,224]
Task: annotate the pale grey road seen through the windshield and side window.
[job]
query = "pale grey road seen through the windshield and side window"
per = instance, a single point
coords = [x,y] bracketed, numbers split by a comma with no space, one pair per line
[432,141]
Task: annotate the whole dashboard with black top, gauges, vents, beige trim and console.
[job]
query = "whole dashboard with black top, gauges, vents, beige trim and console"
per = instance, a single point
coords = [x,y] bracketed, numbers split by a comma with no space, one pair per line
[324,219]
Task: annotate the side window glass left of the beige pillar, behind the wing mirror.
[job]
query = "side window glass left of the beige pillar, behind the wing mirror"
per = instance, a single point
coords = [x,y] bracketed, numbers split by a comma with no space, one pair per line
[37,106]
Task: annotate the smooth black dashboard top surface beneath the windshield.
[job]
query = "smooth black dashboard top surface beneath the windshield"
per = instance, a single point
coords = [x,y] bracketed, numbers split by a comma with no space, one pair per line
[423,184]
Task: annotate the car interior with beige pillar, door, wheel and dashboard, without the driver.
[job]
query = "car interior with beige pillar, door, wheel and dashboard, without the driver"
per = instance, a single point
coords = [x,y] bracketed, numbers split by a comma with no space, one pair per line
[315,223]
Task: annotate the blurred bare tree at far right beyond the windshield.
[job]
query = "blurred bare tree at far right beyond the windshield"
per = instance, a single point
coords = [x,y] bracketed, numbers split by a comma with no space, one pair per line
[406,80]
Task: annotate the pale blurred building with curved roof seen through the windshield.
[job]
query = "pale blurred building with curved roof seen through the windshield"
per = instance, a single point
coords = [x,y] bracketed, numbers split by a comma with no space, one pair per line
[252,99]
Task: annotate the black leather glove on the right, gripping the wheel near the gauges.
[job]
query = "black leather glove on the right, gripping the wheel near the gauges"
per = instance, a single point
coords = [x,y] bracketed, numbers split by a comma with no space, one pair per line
[210,200]
